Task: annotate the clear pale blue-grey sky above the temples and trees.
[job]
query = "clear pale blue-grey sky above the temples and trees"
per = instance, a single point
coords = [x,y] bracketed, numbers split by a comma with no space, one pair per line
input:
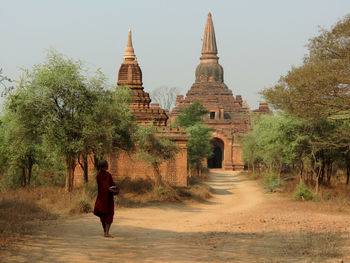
[257,40]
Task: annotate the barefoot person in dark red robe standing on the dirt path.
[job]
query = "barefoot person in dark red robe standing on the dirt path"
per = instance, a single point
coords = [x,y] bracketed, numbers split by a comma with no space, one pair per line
[104,206]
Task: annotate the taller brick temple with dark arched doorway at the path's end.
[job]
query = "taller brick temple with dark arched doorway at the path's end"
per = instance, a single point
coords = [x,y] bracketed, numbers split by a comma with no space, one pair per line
[229,115]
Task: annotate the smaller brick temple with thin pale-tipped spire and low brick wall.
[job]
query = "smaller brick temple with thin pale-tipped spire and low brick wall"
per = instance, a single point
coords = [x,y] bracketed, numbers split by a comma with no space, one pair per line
[122,164]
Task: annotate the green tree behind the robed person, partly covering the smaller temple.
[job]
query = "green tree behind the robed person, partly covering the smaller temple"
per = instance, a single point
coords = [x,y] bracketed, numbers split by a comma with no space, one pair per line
[109,128]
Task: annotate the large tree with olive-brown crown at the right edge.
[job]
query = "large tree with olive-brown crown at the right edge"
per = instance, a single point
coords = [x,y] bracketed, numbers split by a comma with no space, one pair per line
[318,92]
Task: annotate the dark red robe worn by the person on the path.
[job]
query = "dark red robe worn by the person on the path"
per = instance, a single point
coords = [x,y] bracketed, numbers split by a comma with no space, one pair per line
[104,205]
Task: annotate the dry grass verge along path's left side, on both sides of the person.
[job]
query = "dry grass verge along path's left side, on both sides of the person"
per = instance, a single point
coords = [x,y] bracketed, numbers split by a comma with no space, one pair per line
[21,209]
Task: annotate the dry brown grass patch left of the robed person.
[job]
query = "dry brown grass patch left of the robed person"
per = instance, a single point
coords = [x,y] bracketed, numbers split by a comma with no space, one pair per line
[21,209]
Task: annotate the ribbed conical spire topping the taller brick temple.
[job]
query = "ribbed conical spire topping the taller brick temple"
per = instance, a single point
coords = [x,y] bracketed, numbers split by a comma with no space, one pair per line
[209,50]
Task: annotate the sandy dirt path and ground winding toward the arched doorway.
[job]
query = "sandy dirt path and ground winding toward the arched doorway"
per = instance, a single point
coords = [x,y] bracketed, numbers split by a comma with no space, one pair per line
[240,223]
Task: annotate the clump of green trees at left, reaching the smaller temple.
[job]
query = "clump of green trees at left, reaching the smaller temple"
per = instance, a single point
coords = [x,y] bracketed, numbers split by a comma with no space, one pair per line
[57,114]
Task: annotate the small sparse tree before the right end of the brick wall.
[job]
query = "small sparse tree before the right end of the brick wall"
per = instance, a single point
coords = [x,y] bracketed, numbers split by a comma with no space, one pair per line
[155,150]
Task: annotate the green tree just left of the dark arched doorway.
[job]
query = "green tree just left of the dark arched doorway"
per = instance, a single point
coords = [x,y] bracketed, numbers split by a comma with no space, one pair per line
[199,146]
